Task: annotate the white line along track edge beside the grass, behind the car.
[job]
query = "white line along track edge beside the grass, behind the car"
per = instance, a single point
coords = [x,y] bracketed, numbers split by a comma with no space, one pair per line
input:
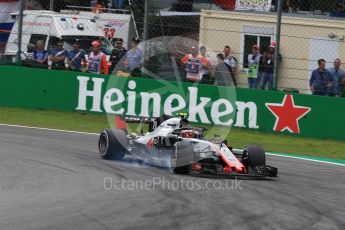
[86,133]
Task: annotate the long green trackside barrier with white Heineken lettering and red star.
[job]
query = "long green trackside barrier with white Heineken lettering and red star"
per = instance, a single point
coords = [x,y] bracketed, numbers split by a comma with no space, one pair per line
[302,115]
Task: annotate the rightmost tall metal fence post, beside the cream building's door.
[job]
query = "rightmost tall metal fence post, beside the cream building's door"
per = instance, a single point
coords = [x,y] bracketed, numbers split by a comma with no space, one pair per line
[277,48]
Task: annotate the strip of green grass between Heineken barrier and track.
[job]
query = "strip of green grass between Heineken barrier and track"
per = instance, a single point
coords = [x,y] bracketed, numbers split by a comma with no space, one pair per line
[236,137]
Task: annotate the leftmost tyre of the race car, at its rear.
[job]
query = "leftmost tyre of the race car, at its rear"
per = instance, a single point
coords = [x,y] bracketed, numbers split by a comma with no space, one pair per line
[112,144]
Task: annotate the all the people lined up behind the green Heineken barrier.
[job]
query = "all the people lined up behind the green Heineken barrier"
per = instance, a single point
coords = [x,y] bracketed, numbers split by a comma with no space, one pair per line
[197,65]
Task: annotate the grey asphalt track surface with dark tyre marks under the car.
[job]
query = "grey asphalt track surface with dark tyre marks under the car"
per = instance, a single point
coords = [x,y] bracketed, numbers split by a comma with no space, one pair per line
[55,180]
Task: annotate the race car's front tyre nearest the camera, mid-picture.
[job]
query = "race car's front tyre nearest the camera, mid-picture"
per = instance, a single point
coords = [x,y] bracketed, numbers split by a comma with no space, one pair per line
[182,157]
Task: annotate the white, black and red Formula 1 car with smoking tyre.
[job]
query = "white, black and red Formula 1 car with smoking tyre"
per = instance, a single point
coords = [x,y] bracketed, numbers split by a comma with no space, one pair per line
[173,142]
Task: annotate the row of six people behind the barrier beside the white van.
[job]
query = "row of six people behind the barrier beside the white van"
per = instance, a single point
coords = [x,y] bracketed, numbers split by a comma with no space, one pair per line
[76,59]
